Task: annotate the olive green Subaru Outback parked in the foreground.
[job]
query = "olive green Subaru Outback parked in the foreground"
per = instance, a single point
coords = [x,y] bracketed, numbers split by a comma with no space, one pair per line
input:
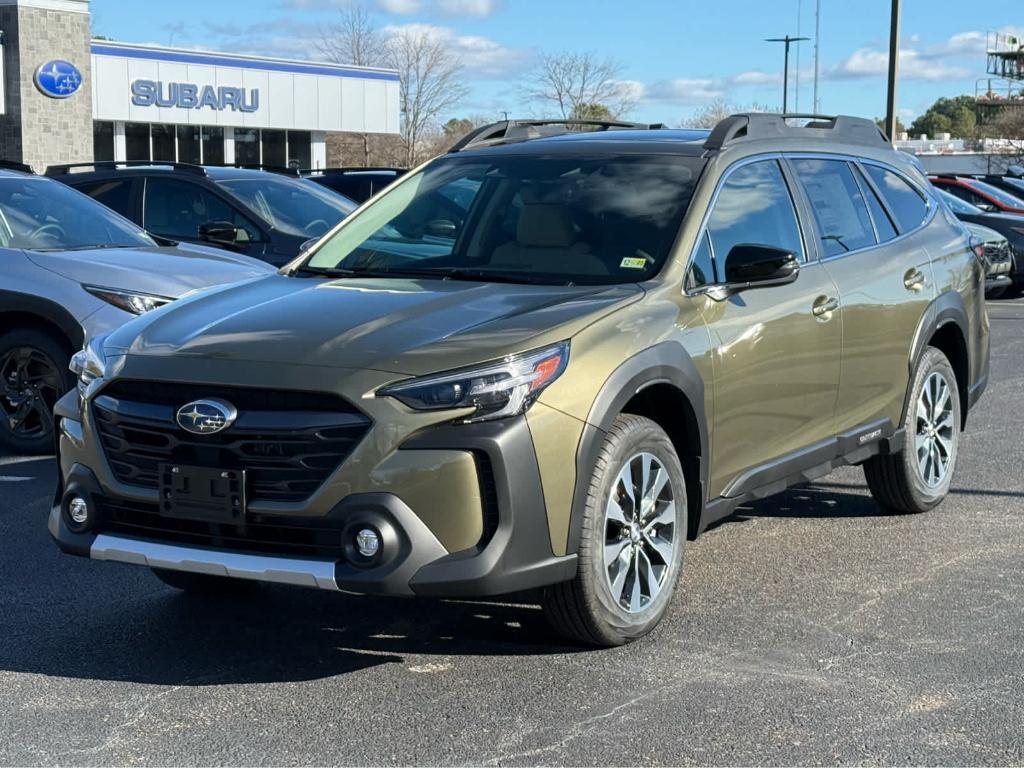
[545,361]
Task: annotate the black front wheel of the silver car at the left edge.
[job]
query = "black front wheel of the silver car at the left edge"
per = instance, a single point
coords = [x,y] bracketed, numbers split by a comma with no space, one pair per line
[30,387]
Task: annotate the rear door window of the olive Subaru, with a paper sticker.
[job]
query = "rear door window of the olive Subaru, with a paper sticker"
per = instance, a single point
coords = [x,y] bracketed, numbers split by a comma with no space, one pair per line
[838,204]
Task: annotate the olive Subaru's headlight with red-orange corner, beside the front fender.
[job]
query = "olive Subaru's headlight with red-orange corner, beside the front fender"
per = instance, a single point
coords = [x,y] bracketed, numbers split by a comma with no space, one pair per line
[495,391]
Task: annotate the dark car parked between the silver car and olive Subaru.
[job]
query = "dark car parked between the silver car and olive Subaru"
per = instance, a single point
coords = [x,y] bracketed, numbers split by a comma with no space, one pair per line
[266,216]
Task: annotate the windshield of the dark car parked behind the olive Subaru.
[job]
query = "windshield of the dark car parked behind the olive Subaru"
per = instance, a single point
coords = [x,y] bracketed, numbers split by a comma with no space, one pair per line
[291,206]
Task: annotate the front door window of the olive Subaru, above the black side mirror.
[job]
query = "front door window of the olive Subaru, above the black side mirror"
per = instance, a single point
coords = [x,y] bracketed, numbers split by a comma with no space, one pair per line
[754,207]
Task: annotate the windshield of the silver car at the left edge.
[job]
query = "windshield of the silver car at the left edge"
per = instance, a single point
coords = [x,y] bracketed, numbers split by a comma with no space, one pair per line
[46,216]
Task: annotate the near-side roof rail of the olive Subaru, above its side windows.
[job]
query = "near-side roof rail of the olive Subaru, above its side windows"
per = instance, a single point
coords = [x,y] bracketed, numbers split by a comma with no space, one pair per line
[753,126]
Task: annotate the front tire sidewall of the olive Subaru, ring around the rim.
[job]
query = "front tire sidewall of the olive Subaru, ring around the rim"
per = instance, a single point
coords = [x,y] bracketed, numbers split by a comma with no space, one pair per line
[642,437]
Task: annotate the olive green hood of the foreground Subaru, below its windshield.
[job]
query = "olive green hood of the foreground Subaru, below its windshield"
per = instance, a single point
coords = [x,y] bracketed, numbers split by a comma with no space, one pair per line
[401,326]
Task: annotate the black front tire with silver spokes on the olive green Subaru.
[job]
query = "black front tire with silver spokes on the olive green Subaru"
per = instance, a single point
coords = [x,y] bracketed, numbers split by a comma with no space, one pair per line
[586,610]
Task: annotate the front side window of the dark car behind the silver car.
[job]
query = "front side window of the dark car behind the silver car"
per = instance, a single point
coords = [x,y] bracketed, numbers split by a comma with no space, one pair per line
[176,209]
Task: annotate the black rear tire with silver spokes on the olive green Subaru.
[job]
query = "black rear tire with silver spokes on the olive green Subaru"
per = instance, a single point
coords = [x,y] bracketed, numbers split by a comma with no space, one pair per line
[899,481]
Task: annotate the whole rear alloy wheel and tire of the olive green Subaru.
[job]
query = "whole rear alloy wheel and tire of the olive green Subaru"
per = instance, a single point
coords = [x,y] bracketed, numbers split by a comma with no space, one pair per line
[918,478]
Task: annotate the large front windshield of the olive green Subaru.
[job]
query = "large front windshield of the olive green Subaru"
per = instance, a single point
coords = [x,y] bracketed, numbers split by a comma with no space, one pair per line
[528,219]
